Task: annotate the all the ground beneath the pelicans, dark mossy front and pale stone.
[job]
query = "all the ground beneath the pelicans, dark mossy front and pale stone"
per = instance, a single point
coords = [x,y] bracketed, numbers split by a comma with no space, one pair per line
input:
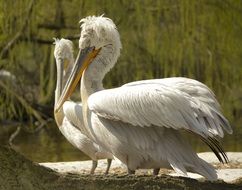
[19,173]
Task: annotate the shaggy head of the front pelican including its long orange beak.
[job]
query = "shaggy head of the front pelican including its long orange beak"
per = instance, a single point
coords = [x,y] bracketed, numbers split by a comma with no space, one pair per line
[99,50]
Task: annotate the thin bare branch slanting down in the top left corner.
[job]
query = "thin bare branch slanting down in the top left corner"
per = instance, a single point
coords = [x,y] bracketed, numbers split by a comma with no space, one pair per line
[11,43]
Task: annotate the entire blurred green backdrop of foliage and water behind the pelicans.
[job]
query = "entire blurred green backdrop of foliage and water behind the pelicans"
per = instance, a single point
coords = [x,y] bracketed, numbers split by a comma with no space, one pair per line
[199,39]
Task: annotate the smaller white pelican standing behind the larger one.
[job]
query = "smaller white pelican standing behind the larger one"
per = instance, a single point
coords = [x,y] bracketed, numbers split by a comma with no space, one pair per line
[69,125]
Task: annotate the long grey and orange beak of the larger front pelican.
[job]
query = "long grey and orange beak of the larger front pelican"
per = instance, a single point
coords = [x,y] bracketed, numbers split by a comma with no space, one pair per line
[84,58]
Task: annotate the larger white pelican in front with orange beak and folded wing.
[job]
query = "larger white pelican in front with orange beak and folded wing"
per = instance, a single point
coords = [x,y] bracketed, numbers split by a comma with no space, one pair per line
[141,122]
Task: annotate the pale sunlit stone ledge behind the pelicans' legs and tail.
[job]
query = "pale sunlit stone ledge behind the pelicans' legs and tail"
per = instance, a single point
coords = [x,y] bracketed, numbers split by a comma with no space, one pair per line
[230,173]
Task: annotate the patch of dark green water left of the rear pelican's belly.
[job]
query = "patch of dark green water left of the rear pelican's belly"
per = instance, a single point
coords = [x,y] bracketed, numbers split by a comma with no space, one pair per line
[48,145]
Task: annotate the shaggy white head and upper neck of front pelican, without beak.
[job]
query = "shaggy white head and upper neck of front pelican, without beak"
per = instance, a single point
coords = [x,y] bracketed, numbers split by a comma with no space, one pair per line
[100,32]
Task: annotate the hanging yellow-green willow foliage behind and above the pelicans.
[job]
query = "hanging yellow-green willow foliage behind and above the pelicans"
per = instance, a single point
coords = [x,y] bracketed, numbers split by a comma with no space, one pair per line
[198,39]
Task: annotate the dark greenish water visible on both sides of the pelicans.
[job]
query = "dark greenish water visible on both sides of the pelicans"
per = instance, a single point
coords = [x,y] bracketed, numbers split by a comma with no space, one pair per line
[48,145]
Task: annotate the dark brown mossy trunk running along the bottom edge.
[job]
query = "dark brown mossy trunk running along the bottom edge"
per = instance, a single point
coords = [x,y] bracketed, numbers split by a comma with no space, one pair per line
[19,173]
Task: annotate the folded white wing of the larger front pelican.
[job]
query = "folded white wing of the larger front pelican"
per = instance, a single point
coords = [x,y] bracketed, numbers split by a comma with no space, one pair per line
[177,103]
